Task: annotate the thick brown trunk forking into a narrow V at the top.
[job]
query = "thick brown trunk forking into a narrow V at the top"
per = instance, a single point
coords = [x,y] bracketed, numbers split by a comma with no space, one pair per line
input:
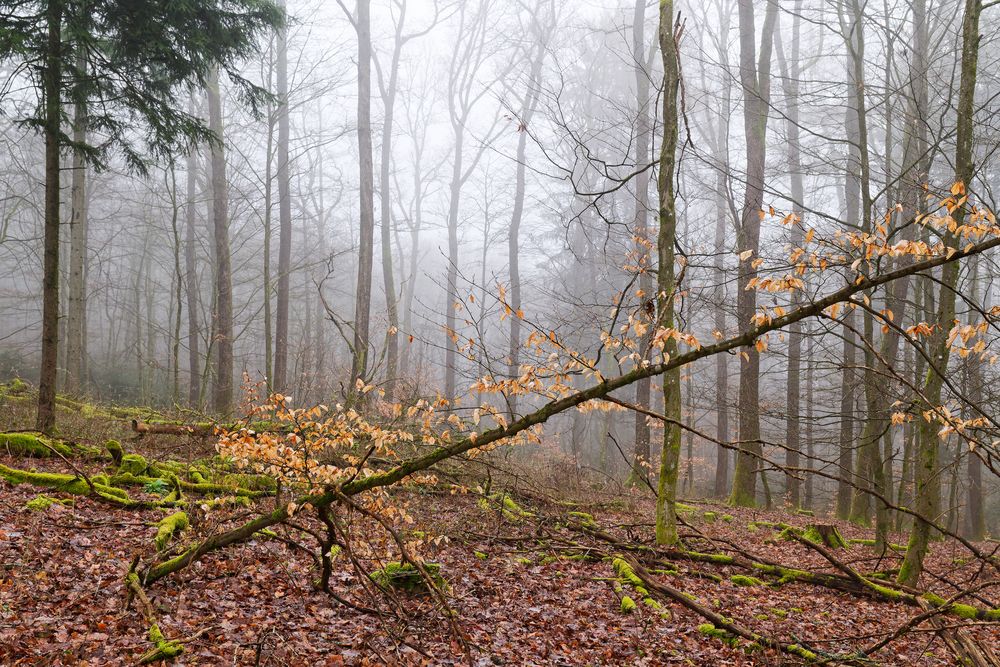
[755,78]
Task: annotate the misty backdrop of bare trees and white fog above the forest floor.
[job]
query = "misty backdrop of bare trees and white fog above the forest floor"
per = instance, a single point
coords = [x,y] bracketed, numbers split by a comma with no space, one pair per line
[410,194]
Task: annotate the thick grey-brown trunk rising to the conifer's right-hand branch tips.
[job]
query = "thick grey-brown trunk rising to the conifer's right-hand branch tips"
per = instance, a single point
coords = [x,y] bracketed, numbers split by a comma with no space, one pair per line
[222,314]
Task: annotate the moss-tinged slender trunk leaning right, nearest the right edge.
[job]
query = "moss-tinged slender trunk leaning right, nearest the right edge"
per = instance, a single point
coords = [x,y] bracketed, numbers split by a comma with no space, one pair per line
[927,491]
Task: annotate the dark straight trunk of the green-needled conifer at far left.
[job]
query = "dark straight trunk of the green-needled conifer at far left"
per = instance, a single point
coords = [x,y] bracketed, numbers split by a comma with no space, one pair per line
[45,419]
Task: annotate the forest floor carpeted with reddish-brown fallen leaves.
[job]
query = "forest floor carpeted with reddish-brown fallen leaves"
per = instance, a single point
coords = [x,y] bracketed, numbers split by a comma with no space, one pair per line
[524,589]
